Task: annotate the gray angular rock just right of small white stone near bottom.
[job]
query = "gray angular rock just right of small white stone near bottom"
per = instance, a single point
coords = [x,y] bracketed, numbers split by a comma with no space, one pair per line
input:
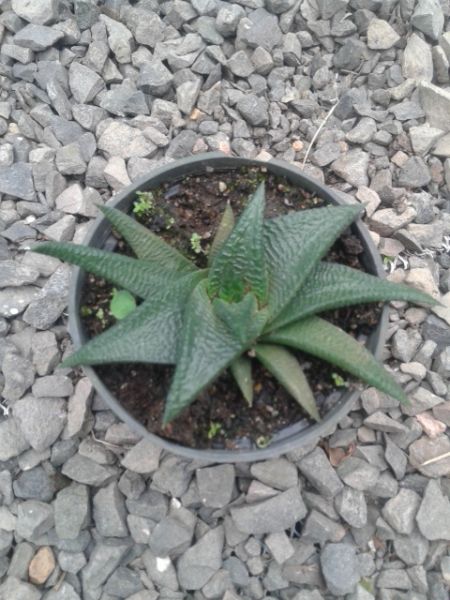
[200,562]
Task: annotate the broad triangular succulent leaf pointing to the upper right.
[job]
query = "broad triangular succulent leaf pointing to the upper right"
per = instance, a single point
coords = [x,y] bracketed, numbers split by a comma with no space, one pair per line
[295,242]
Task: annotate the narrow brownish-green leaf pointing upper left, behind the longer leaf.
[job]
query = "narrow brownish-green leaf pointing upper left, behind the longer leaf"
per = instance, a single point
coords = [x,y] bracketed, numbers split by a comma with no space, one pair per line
[146,245]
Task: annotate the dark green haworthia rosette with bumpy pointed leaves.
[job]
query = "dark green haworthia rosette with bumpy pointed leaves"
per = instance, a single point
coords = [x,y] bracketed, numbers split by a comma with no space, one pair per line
[260,295]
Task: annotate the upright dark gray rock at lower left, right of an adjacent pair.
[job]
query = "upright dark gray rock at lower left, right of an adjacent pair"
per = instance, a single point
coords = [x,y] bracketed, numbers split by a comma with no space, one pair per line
[109,512]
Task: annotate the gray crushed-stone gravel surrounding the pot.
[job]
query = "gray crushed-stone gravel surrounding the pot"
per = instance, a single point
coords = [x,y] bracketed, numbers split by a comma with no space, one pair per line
[95,94]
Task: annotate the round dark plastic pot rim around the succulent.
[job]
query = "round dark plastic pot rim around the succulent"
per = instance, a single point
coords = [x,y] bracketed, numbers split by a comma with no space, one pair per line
[291,437]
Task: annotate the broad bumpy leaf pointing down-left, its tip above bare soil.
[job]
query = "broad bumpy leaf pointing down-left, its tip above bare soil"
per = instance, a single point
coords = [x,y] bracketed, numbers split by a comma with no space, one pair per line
[206,348]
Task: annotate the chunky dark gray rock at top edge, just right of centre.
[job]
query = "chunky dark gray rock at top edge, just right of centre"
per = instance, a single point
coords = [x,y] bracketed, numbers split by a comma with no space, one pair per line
[260,29]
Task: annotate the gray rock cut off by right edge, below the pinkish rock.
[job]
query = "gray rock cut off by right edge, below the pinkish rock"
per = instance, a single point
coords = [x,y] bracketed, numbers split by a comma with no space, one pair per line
[433,517]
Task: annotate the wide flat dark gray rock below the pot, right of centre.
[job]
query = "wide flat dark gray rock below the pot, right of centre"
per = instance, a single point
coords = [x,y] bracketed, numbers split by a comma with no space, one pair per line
[269,516]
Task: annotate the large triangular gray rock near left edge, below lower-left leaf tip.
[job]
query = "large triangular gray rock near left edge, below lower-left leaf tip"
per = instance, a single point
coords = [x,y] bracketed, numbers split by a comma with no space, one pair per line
[41,420]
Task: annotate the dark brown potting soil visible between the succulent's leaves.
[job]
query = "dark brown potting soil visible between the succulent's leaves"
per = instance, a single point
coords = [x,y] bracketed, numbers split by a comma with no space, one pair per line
[185,211]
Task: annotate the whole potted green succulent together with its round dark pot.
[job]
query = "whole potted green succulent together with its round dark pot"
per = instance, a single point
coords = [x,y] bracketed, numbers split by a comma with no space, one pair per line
[255,298]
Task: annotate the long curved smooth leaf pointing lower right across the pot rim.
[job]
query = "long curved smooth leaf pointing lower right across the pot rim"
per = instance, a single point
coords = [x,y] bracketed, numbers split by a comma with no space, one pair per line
[326,341]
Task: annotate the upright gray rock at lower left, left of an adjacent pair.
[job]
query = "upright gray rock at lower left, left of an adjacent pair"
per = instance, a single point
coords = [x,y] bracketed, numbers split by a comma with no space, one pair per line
[72,511]
